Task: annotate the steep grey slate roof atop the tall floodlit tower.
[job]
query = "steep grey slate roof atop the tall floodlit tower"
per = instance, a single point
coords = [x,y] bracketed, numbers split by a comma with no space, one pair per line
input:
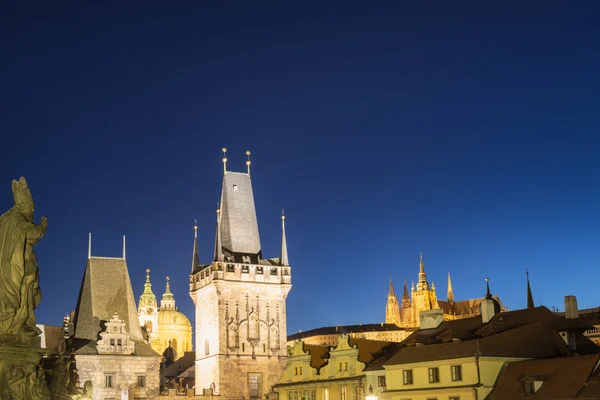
[239,226]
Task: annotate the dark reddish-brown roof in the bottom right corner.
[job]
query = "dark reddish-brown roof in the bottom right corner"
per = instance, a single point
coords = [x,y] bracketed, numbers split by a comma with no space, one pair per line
[563,378]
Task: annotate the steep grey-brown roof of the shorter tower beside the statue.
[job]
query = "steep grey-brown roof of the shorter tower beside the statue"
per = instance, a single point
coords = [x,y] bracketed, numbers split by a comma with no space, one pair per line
[106,289]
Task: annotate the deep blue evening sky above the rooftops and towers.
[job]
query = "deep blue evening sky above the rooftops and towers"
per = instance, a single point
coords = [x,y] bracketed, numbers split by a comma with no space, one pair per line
[466,131]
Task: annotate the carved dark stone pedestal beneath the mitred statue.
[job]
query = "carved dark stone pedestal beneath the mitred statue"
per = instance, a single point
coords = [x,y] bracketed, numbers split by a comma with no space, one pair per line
[21,374]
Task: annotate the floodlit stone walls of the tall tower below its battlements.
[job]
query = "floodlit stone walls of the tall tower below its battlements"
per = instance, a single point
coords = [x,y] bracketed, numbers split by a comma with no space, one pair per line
[228,350]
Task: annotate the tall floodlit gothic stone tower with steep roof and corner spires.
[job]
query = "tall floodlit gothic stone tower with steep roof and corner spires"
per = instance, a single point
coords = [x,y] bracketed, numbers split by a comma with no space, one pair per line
[240,302]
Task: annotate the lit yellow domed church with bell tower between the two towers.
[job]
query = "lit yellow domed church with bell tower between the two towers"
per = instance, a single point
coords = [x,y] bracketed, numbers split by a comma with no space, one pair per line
[165,325]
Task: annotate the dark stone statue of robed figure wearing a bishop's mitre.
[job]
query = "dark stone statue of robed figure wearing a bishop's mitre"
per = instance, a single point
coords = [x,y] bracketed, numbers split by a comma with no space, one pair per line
[19,285]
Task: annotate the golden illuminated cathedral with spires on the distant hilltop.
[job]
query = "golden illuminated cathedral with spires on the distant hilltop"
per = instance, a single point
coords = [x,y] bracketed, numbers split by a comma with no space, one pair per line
[423,297]
